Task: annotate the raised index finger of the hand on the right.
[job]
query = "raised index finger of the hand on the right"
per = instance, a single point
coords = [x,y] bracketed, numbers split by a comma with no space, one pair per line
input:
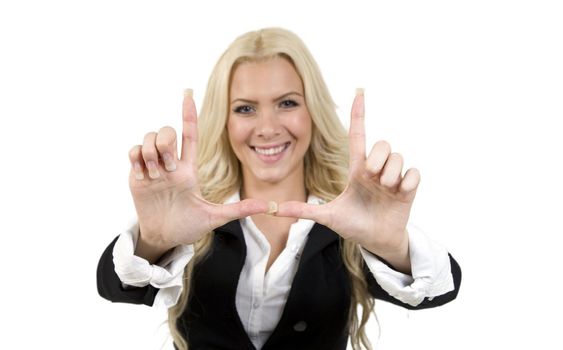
[357,129]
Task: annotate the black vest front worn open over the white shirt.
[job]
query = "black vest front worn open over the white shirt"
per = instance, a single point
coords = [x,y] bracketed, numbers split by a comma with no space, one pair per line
[315,315]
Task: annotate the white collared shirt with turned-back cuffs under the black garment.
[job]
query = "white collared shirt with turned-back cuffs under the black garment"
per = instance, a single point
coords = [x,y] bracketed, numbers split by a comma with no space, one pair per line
[261,295]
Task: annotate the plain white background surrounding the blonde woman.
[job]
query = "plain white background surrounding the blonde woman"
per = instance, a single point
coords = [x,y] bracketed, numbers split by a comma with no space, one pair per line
[469,92]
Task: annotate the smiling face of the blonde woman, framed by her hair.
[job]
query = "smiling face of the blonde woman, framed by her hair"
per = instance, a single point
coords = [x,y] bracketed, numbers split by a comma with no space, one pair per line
[269,125]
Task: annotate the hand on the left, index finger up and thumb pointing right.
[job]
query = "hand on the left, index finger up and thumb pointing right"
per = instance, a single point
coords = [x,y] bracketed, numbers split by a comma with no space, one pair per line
[165,189]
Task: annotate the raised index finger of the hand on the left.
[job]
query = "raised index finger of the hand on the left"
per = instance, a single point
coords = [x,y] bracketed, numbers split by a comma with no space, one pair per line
[189,128]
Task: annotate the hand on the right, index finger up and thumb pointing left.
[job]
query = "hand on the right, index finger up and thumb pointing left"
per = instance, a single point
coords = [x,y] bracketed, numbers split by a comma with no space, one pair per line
[374,208]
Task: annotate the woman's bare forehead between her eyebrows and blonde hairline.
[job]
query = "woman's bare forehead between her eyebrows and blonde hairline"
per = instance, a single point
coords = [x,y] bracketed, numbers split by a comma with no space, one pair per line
[272,76]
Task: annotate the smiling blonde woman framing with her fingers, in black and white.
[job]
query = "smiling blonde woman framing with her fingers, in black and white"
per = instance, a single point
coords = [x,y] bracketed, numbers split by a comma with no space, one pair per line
[273,224]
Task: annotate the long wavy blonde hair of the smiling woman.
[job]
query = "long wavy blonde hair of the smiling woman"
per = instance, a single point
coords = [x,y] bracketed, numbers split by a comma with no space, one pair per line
[326,161]
